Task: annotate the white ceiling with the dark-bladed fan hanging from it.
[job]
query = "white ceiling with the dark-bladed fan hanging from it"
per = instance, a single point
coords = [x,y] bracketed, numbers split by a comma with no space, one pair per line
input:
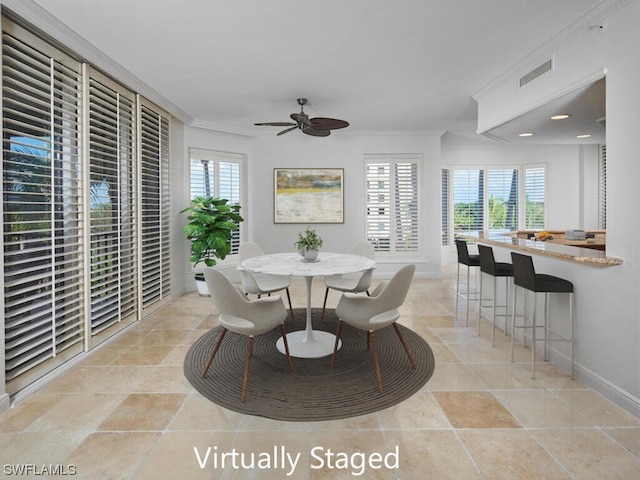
[384,66]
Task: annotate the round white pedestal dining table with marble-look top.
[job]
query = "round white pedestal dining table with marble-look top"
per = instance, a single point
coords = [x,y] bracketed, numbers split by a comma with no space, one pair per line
[308,343]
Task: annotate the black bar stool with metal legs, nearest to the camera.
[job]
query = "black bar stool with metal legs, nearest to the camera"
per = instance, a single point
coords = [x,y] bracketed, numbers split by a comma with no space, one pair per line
[525,276]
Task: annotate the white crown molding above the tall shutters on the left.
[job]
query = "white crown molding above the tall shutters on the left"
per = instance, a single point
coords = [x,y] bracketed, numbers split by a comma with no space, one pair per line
[78,47]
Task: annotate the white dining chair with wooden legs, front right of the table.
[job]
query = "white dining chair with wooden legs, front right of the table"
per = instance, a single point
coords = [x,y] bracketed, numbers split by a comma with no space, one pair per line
[377,311]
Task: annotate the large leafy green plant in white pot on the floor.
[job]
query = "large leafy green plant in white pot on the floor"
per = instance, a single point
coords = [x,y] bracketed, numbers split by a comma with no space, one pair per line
[212,222]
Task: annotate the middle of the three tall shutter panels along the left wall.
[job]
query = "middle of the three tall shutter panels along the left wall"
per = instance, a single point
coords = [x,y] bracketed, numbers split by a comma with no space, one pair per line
[112,204]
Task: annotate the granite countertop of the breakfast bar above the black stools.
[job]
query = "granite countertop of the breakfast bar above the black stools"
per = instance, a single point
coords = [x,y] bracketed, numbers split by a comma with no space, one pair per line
[512,240]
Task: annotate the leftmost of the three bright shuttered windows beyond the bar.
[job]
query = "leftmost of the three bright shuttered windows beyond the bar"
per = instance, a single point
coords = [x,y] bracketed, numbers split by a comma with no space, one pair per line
[468,200]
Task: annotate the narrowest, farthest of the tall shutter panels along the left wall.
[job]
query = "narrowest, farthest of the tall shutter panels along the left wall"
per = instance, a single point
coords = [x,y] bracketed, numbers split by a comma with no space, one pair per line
[155,244]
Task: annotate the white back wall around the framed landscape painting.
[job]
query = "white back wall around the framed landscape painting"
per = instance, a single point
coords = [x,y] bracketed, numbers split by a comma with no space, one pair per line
[341,151]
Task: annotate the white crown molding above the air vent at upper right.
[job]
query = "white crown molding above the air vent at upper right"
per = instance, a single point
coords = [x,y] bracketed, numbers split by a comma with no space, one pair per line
[591,18]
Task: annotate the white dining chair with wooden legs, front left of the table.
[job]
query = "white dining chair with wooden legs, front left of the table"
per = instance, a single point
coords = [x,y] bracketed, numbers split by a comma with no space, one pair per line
[247,317]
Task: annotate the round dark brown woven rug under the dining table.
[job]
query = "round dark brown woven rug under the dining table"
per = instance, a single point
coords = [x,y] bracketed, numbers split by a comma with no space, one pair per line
[313,391]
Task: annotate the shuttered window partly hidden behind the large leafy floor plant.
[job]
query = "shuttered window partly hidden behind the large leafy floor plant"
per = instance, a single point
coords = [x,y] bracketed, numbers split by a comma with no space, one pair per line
[217,174]
